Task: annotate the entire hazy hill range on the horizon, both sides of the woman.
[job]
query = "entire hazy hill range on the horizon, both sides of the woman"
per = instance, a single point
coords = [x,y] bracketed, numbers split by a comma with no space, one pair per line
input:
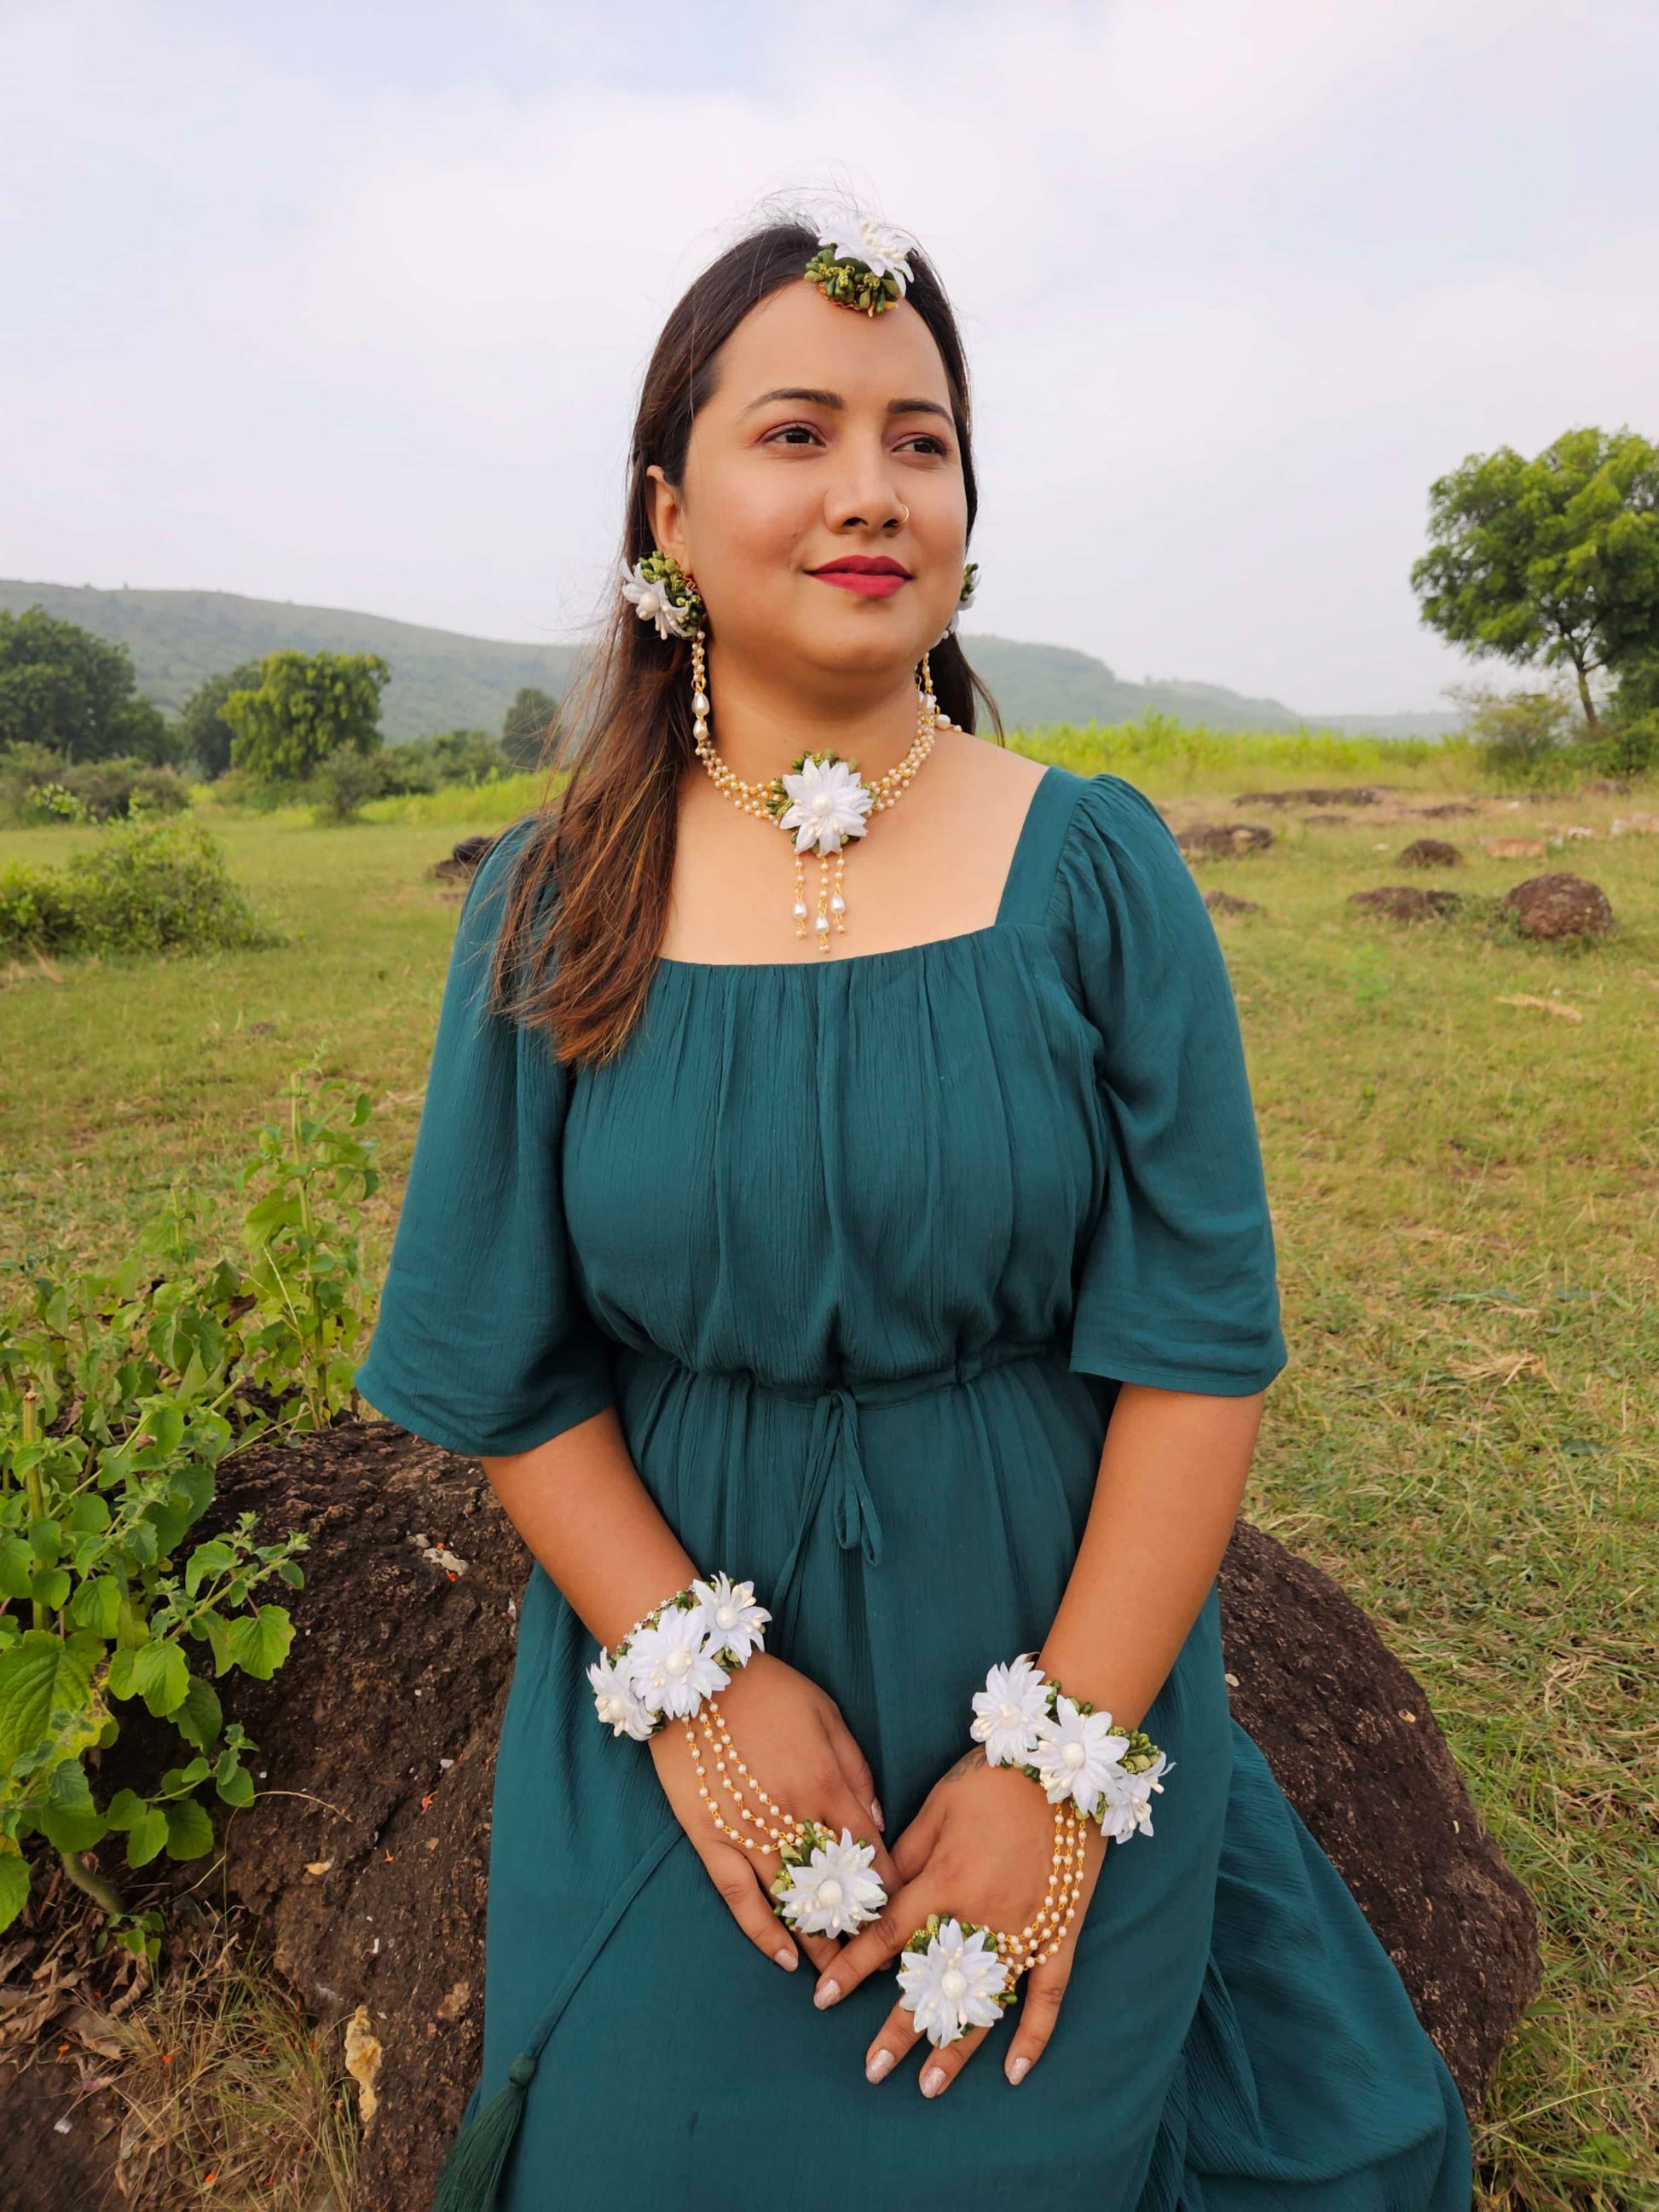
[444,680]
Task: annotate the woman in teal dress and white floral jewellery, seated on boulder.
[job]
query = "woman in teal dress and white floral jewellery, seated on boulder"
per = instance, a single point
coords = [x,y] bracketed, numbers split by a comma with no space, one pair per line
[875,1220]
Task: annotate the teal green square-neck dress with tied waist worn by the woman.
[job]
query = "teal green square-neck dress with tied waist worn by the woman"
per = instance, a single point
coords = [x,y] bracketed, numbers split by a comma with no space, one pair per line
[862,1251]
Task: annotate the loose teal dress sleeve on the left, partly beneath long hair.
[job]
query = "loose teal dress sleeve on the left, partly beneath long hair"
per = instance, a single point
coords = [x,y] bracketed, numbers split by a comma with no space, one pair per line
[483,1342]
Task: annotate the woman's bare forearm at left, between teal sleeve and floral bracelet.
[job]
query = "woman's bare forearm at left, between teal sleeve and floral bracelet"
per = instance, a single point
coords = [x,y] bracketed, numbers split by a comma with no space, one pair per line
[587,1516]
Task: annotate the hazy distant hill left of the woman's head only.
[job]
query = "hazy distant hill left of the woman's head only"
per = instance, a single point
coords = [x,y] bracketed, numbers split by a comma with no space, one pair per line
[439,678]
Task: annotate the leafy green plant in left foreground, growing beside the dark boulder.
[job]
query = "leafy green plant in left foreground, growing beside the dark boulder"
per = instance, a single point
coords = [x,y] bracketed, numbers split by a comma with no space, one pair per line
[121,1397]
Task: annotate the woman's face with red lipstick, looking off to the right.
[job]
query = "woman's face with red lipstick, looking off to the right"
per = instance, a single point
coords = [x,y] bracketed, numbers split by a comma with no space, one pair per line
[822,510]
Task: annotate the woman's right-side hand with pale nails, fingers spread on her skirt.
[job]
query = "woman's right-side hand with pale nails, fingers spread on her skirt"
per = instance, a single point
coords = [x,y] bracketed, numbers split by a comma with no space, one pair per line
[979,1850]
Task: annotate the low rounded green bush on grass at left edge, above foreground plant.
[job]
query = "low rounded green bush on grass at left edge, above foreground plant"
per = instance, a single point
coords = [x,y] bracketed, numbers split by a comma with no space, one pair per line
[147,888]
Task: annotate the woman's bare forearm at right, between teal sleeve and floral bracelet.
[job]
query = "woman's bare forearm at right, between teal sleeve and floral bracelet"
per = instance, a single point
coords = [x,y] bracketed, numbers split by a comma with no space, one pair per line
[1167,1496]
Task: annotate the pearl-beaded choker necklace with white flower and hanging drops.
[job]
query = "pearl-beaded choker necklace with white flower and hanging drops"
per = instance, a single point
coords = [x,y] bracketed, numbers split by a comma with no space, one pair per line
[824,802]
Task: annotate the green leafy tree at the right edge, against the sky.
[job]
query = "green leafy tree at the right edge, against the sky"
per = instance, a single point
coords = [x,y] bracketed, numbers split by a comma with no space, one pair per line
[1550,561]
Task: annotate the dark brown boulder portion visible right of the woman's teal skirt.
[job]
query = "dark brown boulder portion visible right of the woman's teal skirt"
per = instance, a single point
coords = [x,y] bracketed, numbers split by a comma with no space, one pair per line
[1357,1751]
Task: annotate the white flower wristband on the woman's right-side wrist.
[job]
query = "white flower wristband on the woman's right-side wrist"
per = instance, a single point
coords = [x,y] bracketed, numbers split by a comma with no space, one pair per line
[1070,1751]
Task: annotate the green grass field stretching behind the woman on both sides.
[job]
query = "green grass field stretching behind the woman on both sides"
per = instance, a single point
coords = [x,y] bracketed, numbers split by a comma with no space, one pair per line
[1465,1191]
